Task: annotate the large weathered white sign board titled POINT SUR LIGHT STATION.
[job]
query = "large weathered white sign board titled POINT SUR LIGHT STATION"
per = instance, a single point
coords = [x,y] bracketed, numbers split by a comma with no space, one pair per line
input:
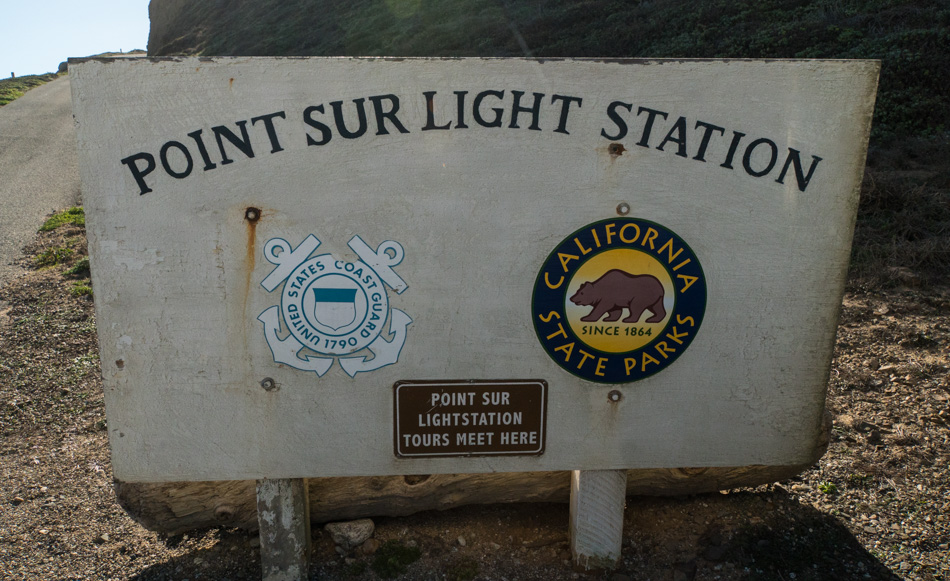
[337,267]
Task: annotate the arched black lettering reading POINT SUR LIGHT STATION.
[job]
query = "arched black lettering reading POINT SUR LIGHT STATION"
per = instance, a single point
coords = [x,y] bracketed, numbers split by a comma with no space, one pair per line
[698,140]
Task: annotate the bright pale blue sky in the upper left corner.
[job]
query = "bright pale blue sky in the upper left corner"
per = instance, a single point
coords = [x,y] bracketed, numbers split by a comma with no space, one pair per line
[37,35]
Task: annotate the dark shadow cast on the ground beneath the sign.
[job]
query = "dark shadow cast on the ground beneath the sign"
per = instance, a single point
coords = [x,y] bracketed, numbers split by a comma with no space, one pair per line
[763,535]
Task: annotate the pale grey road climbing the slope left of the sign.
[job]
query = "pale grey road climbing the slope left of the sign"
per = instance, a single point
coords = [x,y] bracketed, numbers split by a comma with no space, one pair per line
[38,168]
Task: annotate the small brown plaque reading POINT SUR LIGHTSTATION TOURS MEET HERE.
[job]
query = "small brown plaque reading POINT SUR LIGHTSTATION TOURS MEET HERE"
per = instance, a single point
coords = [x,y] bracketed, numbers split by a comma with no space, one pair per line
[469,418]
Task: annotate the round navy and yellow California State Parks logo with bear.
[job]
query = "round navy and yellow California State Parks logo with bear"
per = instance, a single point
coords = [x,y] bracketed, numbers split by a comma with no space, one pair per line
[619,300]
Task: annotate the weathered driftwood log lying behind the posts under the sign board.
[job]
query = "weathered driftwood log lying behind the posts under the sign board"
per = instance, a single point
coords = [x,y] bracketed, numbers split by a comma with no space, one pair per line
[177,507]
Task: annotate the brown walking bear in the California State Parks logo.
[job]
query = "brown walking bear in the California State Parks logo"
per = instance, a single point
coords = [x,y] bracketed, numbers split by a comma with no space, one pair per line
[617,290]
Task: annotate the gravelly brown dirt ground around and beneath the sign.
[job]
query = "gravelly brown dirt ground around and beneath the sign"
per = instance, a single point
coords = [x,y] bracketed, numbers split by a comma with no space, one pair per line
[877,505]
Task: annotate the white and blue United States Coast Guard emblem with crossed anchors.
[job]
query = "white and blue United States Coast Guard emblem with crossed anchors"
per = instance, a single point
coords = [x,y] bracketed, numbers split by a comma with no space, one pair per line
[334,310]
